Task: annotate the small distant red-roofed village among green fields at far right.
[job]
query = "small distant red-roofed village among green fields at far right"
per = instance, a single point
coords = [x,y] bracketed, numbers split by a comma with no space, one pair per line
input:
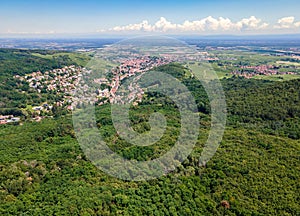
[251,71]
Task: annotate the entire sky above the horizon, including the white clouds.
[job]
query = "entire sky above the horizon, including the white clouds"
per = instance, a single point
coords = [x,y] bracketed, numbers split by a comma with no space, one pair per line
[30,17]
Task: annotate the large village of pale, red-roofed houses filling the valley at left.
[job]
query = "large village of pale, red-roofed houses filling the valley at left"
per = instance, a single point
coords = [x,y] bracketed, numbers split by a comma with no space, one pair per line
[65,82]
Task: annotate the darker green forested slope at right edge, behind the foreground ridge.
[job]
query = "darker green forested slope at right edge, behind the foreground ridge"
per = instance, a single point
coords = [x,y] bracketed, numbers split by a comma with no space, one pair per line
[271,106]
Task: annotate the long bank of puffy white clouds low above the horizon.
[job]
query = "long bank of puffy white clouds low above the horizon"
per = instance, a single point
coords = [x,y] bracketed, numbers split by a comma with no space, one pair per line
[209,25]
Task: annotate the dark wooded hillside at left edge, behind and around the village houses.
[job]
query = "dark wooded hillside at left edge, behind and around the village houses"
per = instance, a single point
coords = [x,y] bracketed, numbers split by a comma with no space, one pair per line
[20,62]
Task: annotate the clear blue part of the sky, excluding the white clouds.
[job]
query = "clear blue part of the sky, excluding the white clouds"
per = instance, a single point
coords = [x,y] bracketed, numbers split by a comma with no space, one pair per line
[64,16]
